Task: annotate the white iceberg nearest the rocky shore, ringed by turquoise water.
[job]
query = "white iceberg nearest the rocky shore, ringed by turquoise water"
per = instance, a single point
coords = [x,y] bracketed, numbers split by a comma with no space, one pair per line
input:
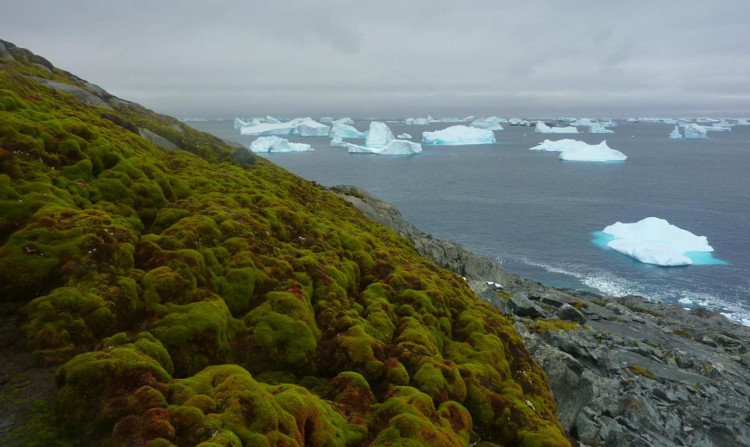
[655,241]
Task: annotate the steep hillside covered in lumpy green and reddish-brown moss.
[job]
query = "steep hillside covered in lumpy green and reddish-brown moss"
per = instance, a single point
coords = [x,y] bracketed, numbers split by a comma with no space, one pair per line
[195,300]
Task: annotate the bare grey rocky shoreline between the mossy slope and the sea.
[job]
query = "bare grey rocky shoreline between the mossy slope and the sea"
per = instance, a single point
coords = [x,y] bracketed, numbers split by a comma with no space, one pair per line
[625,371]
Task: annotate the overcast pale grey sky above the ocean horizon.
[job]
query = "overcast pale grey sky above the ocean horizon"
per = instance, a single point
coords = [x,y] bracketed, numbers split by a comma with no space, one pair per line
[400,58]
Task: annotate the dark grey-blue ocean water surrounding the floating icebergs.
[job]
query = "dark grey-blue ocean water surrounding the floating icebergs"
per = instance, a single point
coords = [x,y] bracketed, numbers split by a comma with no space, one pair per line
[536,214]
